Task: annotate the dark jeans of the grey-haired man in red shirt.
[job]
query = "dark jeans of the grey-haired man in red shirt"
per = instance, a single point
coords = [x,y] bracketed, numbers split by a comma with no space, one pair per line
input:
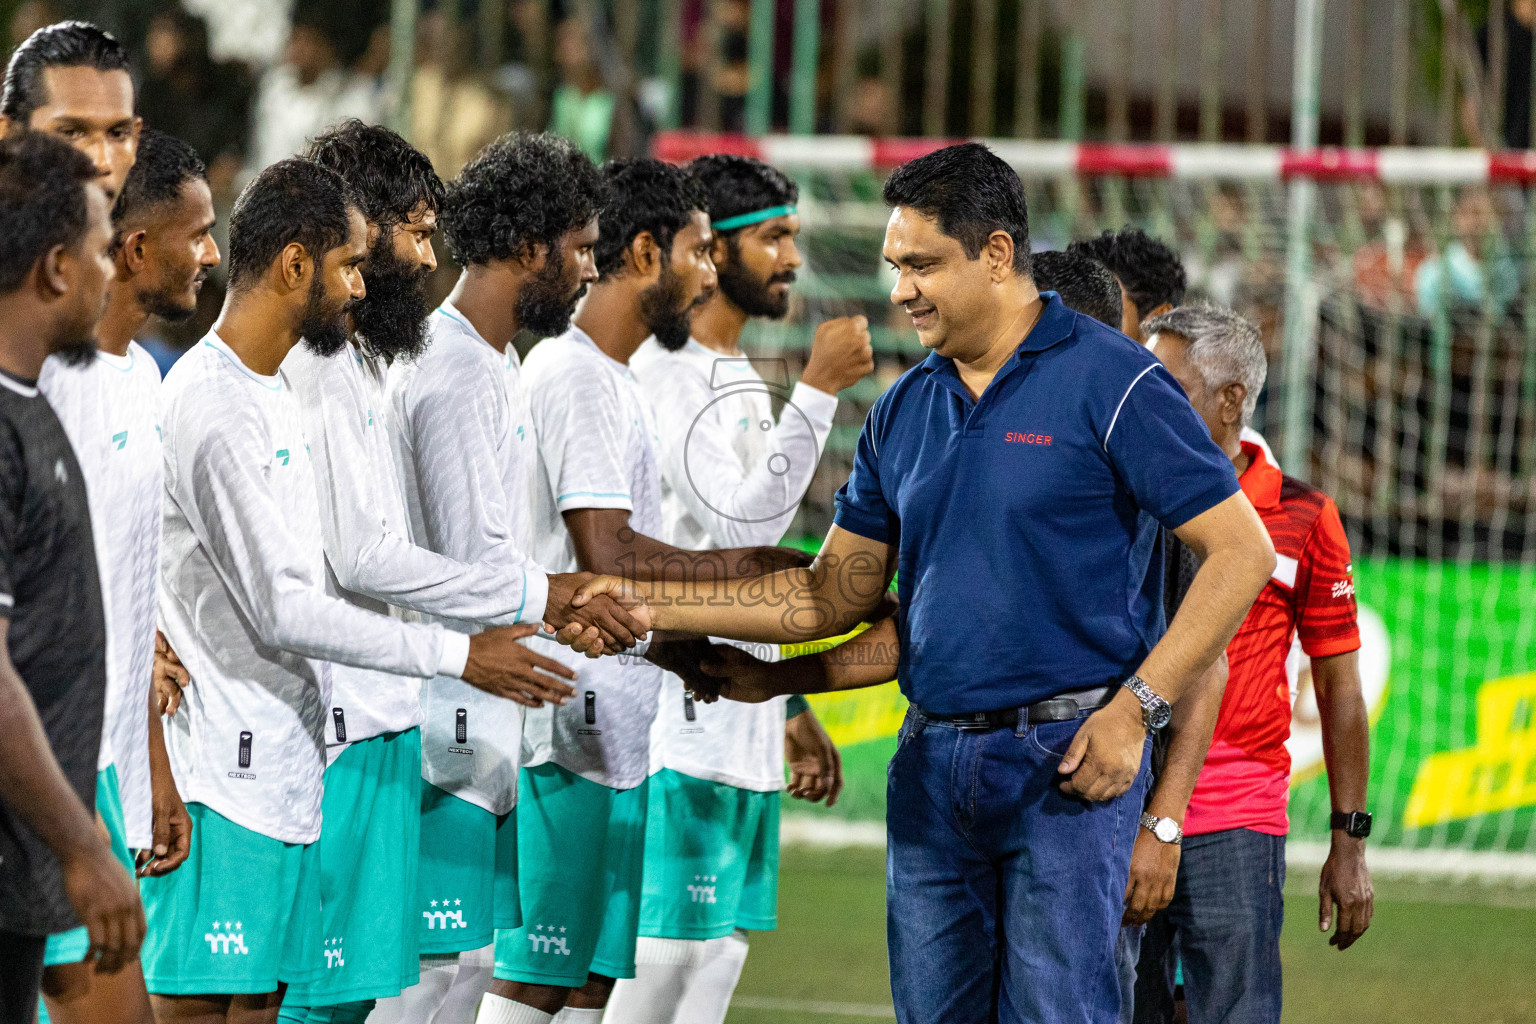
[1225,927]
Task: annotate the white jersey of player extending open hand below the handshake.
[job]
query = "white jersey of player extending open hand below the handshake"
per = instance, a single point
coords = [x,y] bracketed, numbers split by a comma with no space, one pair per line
[243,601]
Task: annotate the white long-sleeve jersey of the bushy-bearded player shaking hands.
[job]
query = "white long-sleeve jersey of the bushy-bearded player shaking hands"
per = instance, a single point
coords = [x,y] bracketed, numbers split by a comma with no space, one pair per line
[371,560]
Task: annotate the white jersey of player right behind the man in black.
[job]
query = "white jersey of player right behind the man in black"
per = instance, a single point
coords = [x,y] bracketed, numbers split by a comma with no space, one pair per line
[111,414]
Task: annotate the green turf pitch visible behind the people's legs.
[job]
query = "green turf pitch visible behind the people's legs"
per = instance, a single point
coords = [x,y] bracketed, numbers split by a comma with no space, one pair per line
[1438,953]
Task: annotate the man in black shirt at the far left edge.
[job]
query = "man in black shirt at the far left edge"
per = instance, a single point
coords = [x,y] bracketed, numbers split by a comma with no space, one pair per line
[56,868]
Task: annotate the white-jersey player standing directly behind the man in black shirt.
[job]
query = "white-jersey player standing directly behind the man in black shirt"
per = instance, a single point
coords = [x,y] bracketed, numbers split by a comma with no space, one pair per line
[111,412]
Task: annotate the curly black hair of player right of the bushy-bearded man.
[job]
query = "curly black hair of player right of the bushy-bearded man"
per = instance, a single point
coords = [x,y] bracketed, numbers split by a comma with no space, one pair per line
[523,191]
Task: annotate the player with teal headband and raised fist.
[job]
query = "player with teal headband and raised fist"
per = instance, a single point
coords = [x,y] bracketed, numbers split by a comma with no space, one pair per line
[730,477]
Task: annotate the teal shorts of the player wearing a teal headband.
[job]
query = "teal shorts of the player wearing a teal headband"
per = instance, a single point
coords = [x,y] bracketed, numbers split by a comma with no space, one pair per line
[712,859]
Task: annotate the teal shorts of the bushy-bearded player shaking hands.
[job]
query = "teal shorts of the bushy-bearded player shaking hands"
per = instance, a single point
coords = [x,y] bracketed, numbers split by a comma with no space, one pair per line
[369,848]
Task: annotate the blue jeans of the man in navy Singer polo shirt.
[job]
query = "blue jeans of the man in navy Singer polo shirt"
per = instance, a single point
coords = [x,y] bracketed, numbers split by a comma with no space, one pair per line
[1004,896]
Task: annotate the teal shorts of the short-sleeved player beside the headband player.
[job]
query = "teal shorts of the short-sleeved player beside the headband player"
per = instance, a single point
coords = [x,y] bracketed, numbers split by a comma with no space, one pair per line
[581,851]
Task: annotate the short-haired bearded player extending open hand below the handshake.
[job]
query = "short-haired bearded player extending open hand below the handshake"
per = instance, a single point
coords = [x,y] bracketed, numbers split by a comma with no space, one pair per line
[243,604]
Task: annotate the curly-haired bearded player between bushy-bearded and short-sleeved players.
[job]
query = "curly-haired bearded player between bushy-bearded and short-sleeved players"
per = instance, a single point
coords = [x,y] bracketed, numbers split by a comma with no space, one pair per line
[521,220]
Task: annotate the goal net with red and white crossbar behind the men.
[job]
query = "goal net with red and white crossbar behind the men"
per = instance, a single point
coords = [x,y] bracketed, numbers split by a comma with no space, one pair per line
[1417,403]
